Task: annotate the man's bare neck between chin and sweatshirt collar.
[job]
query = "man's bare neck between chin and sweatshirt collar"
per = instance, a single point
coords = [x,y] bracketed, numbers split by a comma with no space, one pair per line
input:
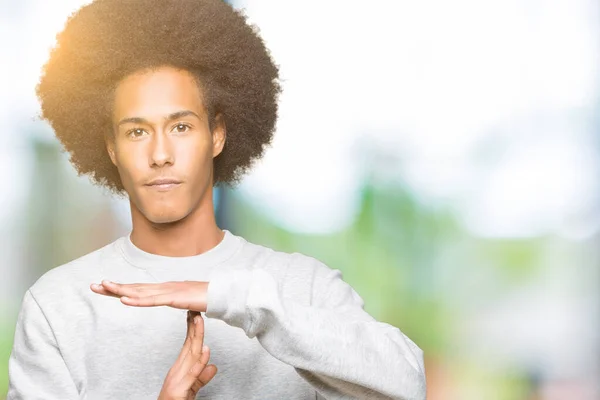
[192,235]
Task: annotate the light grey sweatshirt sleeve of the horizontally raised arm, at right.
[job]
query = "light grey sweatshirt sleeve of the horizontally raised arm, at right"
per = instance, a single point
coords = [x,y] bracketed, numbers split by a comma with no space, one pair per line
[335,345]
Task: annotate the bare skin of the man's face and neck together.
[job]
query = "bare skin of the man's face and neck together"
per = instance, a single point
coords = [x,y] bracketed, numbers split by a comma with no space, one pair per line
[147,145]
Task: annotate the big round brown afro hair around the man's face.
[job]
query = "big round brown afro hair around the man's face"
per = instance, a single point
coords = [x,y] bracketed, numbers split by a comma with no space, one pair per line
[107,40]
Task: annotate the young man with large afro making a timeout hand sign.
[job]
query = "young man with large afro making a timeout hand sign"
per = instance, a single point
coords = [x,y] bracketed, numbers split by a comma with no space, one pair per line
[162,100]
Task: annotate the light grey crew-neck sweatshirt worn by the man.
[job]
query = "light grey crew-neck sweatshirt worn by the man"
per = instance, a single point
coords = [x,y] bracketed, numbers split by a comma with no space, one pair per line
[279,326]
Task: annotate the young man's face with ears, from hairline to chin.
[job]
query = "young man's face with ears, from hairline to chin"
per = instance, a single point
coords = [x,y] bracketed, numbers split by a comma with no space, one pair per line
[163,146]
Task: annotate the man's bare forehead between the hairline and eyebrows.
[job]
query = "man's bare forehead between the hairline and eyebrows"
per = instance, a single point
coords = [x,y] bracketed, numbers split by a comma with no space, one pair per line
[156,93]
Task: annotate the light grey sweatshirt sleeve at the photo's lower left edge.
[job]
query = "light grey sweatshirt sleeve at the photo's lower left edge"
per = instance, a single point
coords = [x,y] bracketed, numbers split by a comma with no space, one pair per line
[36,369]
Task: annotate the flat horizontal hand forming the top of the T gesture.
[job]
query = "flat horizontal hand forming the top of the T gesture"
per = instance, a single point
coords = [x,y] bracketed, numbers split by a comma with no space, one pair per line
[186,295]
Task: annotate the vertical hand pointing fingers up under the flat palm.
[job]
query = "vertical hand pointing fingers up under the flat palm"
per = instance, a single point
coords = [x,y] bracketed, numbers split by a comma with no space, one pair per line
[189,373]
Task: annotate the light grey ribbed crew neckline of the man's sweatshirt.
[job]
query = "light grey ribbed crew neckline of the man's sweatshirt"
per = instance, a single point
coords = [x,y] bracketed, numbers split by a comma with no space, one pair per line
[137,257]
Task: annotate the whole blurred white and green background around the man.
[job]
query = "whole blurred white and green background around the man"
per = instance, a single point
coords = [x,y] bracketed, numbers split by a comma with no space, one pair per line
[443,155]
